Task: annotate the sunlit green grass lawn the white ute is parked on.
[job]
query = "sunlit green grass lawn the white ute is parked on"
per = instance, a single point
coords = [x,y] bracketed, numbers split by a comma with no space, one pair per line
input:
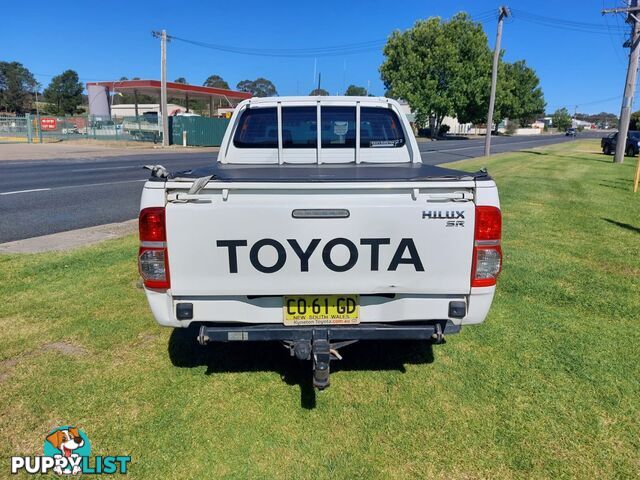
[548,387]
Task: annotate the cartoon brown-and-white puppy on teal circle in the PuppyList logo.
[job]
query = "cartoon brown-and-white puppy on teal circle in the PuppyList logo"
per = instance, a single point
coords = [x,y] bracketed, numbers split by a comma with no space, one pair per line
[67,445]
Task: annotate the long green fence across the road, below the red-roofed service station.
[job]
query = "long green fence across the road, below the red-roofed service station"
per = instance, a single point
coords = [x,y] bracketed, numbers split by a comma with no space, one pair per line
[197,131]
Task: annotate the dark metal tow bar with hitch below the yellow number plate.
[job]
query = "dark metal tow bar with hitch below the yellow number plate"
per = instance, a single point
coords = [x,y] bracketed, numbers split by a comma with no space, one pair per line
[321,344]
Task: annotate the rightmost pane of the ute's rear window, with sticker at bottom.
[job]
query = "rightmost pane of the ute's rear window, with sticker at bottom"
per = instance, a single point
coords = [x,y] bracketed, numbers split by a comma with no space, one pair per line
[380,128]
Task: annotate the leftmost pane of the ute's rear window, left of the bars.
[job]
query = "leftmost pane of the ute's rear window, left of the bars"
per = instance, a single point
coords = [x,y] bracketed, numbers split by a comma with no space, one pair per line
[257,128]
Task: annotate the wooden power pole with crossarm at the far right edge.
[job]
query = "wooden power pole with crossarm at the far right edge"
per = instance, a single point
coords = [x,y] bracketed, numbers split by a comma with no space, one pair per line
[632,70]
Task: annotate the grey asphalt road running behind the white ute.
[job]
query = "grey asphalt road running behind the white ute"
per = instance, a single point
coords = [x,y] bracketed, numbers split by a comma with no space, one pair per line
[39,197]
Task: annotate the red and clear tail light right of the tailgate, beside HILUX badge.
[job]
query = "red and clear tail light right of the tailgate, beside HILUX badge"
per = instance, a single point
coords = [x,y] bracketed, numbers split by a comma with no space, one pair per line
[487,253]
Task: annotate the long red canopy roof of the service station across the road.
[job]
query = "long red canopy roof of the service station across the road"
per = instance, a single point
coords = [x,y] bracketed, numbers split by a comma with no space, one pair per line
[152,87]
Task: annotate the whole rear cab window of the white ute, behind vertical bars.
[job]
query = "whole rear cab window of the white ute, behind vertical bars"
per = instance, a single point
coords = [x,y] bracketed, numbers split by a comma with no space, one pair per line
[379,128]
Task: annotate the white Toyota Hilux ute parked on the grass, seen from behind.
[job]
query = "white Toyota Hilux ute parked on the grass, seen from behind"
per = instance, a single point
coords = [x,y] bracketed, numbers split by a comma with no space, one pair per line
[319,226]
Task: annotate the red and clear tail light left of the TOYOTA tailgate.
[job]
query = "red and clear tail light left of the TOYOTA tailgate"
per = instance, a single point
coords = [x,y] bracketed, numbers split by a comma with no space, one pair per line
[153,259]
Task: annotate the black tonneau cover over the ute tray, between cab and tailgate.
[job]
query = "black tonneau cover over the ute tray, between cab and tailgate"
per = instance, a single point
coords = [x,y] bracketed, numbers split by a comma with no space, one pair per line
[326,173]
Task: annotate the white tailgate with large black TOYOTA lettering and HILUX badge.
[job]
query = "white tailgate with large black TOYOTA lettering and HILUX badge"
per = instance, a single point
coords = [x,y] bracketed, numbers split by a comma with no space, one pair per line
[281,240]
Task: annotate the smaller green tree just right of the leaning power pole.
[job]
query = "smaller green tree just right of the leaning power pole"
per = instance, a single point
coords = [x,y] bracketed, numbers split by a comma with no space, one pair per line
[519,96]
